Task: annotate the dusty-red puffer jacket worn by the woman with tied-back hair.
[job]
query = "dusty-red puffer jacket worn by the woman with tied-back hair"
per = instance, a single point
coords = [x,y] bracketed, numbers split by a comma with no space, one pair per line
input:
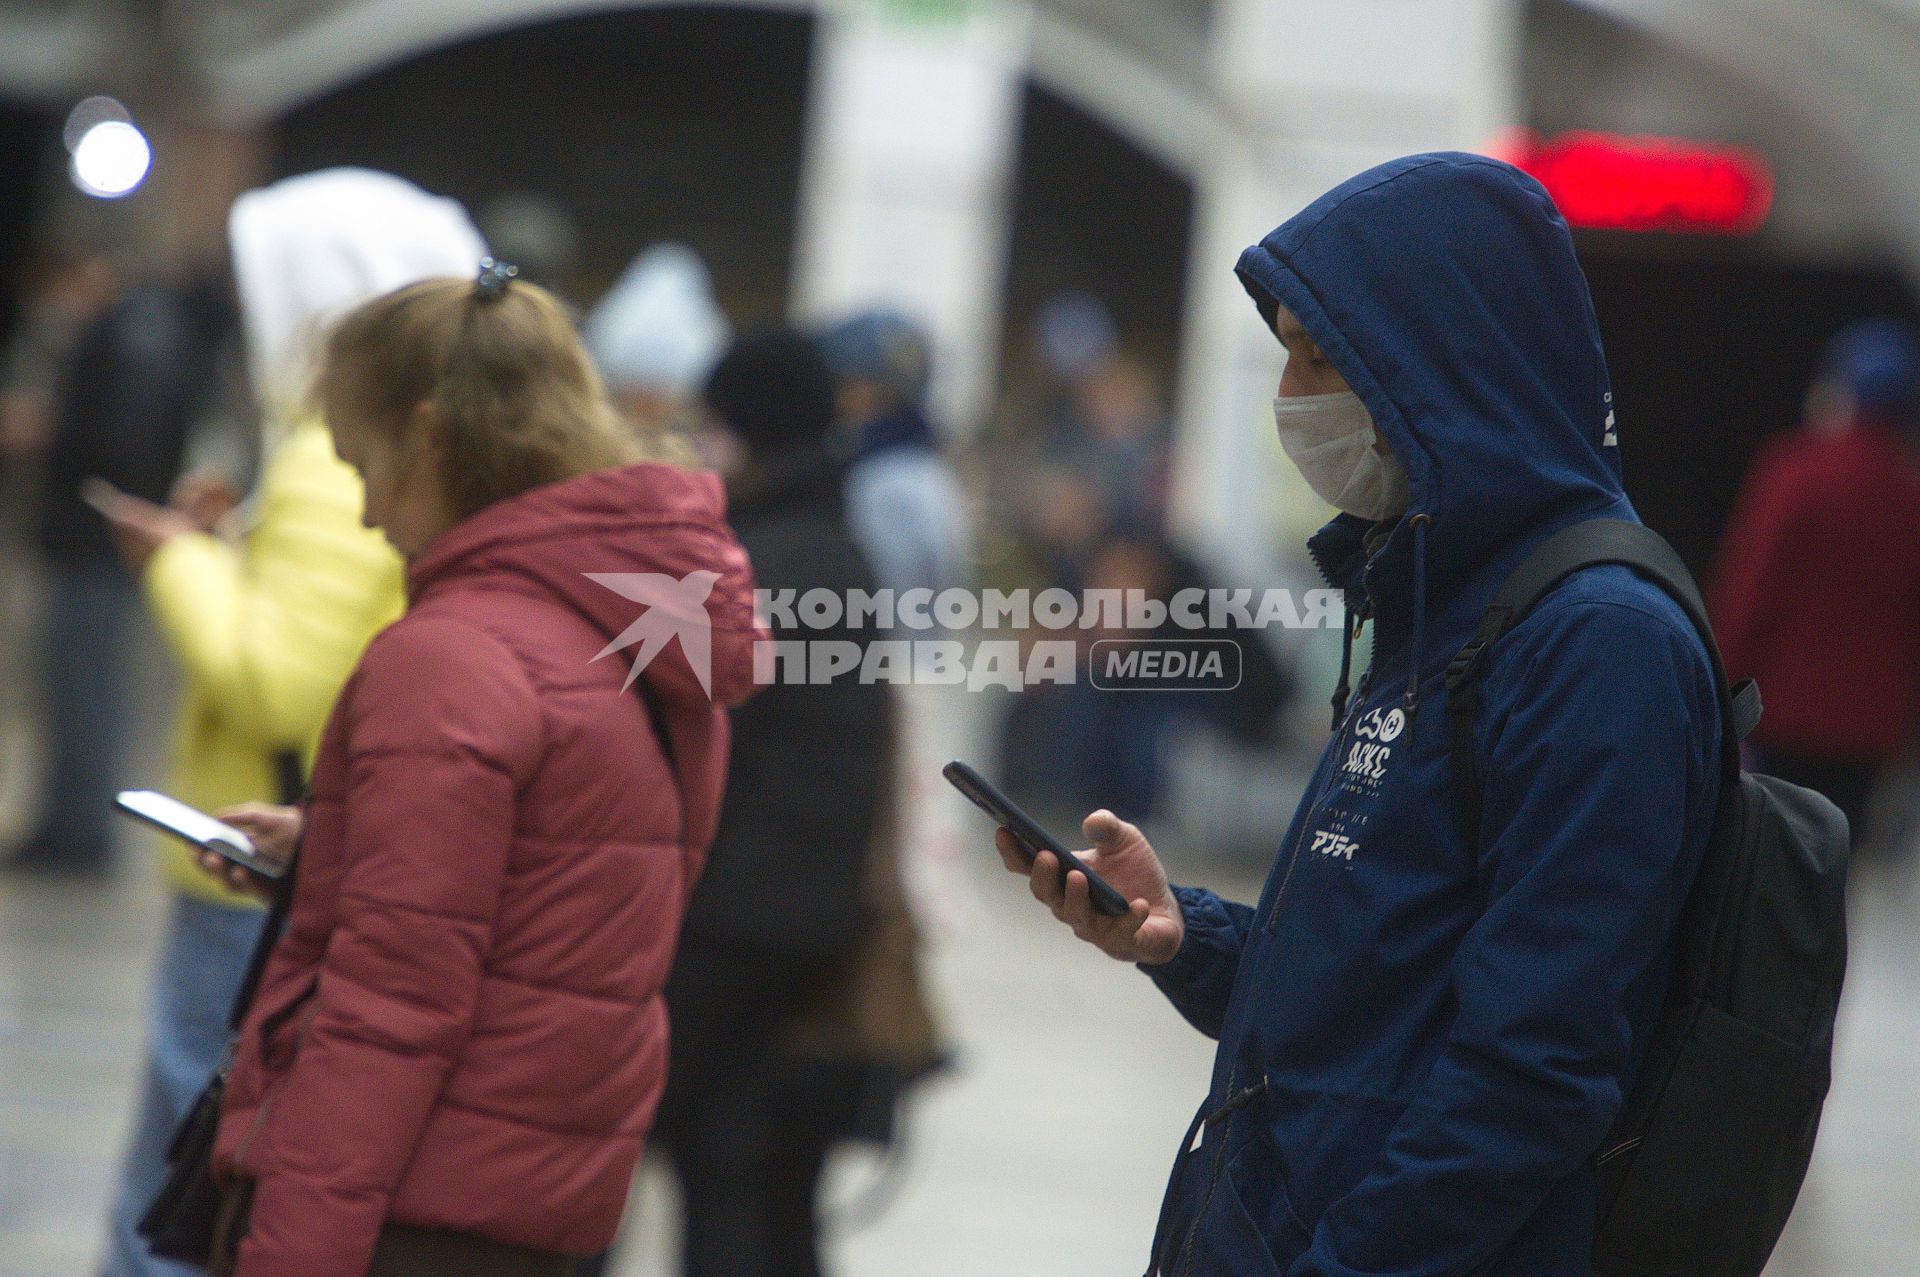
[464,1023]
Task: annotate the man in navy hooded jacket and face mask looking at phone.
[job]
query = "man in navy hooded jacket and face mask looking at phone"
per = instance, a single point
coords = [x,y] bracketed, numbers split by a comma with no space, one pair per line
[1426,1032]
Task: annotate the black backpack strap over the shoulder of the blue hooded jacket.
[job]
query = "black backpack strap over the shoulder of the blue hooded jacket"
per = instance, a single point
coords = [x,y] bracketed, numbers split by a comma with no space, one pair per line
[1573,548]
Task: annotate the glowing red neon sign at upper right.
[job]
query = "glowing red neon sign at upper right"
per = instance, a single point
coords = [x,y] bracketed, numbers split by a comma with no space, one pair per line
[1621,183]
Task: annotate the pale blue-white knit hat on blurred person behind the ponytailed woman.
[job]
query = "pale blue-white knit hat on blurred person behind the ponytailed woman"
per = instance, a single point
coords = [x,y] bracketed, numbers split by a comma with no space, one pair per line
[658,327]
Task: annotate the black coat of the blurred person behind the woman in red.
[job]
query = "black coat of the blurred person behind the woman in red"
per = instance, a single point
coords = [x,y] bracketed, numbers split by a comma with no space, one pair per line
[798,971]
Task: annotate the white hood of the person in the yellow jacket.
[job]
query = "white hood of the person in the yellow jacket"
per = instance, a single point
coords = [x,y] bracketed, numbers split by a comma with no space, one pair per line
[314,247]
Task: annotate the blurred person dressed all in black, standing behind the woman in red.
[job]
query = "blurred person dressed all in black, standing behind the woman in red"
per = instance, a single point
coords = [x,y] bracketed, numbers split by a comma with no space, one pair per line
[798,919]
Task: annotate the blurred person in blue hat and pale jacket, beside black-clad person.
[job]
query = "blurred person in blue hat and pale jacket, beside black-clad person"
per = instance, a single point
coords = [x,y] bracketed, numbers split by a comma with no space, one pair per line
[905,508]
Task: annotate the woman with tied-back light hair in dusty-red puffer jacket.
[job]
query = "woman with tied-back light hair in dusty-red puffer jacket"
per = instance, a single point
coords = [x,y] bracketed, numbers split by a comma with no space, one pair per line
[460,1042]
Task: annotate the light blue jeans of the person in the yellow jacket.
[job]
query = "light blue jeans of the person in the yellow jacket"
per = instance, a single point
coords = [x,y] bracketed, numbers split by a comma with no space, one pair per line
[195,986]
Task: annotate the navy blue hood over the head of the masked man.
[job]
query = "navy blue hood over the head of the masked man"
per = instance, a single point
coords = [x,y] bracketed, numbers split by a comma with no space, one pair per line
[1445,291]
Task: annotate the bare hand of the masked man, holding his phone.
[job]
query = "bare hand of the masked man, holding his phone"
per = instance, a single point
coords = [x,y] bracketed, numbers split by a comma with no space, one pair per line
[1149,932]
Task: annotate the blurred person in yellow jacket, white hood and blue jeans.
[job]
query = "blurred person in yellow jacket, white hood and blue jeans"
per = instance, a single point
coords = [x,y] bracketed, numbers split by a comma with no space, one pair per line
[264,631]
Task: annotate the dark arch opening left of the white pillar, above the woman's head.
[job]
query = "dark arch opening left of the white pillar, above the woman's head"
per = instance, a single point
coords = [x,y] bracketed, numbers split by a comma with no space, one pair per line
[619,118]
